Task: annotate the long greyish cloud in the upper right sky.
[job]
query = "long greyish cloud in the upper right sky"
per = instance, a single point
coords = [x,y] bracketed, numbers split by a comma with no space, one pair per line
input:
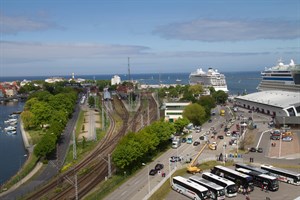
[212,30]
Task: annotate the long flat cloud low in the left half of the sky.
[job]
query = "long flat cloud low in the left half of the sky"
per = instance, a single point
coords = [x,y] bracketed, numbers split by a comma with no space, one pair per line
[28,51]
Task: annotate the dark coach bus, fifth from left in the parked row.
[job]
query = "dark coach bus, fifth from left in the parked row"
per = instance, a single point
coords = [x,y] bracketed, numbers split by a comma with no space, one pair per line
[261,180]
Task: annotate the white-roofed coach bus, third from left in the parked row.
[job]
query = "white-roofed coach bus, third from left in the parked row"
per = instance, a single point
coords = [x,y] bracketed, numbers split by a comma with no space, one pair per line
[230,187]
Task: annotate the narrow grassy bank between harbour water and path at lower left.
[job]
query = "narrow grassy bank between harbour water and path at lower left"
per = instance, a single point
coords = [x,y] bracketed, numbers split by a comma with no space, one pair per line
[25,170]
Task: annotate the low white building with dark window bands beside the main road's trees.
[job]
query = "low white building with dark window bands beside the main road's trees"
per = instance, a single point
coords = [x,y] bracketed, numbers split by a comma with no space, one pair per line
[174,110]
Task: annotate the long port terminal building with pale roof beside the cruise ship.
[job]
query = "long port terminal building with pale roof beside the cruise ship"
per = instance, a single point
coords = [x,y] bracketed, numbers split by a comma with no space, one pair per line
[283,106]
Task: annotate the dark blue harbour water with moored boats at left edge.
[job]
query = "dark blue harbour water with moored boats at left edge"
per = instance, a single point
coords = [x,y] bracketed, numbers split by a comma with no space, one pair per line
[12,149]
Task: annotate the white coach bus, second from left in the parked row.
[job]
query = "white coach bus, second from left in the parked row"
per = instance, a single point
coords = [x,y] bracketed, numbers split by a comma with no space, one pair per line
[217,192]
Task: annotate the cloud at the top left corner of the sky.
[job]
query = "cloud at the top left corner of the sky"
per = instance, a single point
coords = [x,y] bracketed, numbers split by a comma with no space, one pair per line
[16,24]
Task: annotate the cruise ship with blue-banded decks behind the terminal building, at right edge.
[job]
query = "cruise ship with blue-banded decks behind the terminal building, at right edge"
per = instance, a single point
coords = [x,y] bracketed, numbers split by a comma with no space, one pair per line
[284,77]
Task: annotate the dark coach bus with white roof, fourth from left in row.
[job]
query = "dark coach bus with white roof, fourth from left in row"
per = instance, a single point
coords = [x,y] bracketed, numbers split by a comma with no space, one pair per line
[240,179]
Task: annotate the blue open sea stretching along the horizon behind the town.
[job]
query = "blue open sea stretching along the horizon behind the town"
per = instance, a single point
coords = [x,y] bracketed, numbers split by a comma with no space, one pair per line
[237,82]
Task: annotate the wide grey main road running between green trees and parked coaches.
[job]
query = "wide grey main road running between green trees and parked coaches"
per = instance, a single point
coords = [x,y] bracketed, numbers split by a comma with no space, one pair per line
[137,187]
